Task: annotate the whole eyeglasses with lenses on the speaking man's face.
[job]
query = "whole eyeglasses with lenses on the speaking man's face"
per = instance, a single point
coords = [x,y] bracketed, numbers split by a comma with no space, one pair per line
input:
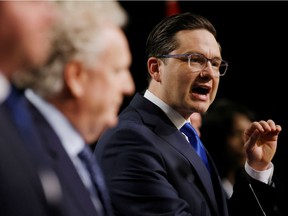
[197,62]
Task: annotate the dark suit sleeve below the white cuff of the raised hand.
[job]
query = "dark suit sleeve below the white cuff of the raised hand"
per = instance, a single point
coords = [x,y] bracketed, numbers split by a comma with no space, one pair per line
[253,198]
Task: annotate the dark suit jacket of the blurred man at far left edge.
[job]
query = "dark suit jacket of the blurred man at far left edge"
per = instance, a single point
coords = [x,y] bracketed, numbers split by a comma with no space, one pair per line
[21,192]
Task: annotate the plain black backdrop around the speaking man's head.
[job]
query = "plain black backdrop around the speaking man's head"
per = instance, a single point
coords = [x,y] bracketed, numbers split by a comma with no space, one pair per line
[254,40]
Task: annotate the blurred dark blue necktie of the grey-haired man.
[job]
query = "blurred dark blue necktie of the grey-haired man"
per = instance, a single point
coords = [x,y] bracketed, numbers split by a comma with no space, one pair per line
[96,175]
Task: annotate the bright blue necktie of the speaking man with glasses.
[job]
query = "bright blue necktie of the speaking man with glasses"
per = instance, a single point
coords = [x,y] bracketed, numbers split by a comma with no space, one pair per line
[196,143]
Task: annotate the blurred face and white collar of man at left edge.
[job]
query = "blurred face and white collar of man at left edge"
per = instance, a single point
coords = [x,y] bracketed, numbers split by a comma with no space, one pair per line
[25,37]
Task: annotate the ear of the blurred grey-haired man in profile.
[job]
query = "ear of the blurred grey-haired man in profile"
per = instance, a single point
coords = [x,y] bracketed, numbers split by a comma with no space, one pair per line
[74,76]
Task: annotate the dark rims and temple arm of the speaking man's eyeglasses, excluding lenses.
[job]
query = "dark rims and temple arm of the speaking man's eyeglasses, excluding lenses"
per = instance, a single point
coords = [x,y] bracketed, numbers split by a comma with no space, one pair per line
[188,56]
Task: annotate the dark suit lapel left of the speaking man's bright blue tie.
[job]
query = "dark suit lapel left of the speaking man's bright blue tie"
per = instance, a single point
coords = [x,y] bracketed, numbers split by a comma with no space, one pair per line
[155,118]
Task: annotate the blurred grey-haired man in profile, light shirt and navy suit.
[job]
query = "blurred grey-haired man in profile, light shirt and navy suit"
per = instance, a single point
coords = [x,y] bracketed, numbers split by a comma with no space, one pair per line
[77,95]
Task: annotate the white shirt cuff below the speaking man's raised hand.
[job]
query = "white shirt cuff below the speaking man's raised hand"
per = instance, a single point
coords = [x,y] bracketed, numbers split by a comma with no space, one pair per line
[264,176]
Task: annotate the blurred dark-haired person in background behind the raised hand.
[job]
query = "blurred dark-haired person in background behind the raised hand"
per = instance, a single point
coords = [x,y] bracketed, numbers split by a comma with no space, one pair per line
[222,131]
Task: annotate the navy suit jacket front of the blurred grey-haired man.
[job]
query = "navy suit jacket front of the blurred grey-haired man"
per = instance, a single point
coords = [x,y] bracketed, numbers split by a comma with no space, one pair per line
[75,194]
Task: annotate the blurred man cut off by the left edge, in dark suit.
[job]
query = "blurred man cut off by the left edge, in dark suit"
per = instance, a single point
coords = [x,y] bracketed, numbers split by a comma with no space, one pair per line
[25,40]
